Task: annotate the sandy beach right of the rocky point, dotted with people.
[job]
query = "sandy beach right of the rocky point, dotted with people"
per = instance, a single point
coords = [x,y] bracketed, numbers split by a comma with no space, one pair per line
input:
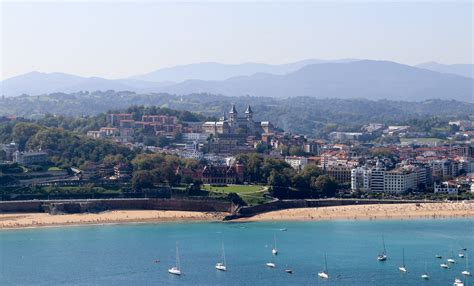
[370,212]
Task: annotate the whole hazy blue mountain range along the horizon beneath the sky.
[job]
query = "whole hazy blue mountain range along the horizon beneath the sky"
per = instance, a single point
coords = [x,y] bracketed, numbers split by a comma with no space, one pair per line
[347,78]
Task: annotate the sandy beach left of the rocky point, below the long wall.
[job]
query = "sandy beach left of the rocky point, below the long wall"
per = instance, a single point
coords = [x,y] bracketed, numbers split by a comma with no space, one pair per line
[22,220]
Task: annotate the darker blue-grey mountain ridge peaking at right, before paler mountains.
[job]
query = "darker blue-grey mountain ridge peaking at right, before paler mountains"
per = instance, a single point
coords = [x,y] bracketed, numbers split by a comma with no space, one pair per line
[360,79]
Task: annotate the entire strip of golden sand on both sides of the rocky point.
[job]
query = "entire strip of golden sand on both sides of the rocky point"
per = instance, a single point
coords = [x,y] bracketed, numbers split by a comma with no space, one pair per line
[334,213]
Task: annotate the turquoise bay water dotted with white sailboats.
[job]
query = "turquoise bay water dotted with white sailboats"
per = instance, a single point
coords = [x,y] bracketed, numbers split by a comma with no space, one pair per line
[126,254]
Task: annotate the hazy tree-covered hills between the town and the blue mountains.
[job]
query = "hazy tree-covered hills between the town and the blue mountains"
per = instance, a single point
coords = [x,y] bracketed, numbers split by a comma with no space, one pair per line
[302,114]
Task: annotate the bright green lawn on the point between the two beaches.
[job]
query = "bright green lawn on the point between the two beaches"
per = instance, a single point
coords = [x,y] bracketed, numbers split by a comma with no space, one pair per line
[251,194]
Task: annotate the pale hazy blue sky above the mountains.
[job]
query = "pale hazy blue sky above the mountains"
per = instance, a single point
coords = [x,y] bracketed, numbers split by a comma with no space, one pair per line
[119,39]
